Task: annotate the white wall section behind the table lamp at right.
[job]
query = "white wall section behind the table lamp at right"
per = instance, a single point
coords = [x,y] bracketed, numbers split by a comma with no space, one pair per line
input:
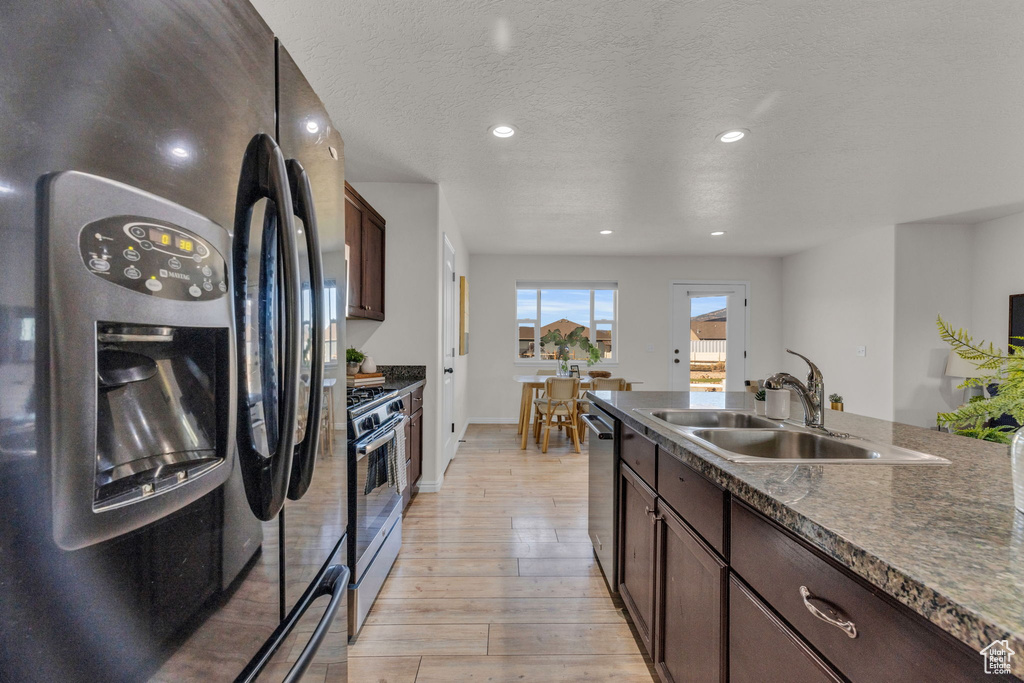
[932,278]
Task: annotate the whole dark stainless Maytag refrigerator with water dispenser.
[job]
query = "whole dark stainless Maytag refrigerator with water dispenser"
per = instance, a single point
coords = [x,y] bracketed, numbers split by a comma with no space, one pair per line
[172,271]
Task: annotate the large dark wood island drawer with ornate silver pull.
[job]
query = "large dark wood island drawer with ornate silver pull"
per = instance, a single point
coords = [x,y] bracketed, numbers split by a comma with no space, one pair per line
[891,644]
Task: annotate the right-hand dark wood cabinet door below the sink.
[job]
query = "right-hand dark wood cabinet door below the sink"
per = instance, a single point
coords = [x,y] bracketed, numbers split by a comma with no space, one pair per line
[691,633]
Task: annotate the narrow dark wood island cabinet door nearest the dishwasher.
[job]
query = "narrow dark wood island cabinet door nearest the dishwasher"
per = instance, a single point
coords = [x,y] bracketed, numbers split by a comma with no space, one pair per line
[636,551]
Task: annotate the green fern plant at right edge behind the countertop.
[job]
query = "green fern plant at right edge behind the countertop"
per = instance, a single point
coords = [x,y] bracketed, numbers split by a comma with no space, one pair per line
[1008,370]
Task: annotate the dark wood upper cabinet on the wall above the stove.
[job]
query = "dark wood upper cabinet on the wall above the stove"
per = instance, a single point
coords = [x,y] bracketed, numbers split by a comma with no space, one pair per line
[365,242]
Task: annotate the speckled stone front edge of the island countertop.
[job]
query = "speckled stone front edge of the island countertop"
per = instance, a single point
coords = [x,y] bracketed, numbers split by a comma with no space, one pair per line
[969,626]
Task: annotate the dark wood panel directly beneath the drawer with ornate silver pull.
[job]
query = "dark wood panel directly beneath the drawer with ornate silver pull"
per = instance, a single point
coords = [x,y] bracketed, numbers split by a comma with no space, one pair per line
[763,650]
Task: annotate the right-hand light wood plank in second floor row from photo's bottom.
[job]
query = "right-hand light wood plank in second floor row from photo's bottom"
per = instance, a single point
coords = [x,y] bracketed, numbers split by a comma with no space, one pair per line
[561,639]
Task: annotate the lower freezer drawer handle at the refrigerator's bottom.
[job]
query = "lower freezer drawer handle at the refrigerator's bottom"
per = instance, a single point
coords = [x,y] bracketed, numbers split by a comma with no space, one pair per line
[334,583]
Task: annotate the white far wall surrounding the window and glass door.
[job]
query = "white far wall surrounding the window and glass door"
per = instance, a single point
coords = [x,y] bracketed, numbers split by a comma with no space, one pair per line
[645,313]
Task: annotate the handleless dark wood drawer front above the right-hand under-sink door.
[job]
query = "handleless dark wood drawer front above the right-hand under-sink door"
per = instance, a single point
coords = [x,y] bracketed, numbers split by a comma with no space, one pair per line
[698,501]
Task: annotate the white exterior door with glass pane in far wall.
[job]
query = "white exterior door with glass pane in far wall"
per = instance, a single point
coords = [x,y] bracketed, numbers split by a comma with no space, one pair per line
[709,336]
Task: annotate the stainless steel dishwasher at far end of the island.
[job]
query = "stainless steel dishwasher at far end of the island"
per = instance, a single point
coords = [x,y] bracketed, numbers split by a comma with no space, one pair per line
[604,496]
